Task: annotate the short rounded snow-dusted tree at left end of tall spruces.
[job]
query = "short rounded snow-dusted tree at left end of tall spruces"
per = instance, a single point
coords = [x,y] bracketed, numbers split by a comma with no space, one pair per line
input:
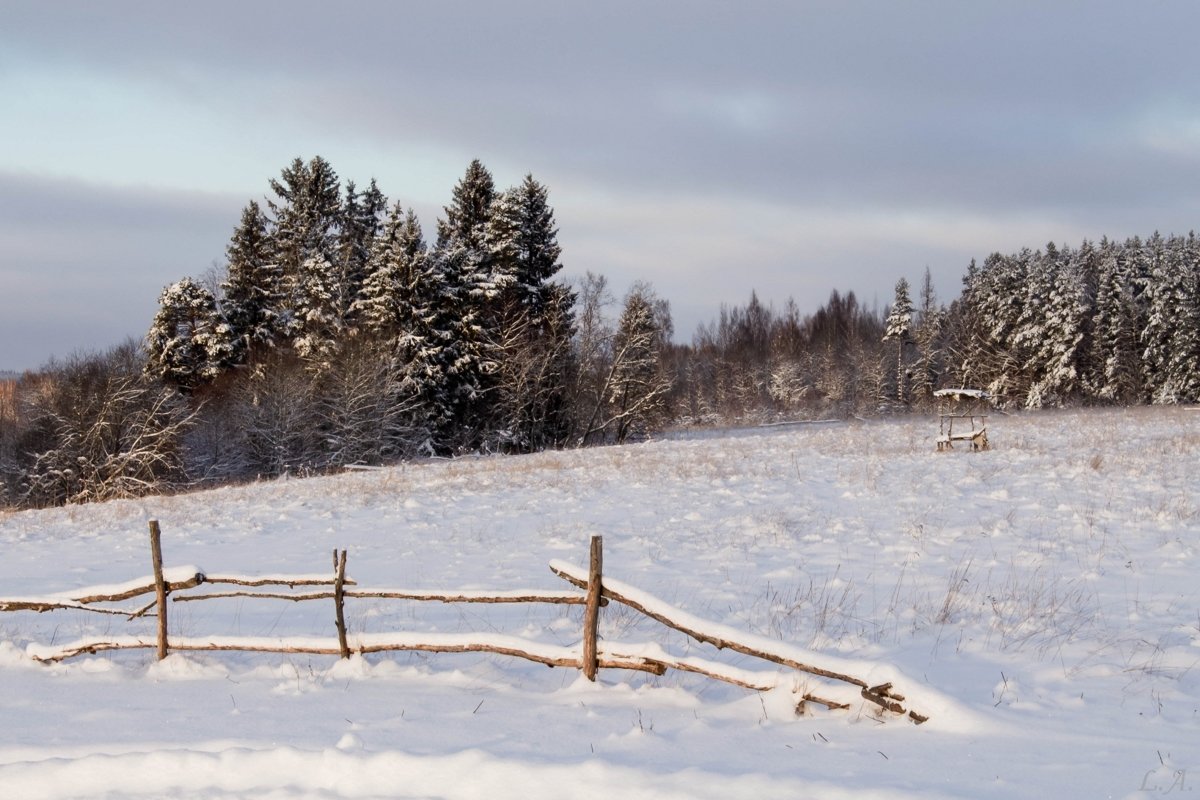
[188,345]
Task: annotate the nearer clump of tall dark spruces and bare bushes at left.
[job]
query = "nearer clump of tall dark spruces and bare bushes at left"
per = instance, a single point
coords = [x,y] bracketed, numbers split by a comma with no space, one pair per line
[337,335]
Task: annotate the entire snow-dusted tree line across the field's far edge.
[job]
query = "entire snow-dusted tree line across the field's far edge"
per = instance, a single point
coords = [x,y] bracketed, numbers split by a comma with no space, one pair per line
[335,335]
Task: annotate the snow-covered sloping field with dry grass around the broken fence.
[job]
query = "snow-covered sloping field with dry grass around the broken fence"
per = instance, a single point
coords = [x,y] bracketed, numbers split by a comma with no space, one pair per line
[1040,601]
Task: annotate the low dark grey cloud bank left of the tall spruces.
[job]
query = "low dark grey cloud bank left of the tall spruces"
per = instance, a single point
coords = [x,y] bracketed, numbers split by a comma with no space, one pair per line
[83,264]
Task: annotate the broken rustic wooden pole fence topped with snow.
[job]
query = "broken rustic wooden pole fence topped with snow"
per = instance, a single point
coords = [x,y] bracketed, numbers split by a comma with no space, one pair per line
[597,591]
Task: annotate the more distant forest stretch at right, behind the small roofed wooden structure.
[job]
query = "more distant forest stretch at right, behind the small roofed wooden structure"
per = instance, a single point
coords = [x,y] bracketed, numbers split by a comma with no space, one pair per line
[1115,323]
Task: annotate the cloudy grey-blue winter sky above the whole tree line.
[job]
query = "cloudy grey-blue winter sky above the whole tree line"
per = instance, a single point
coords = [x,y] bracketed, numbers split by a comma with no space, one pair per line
[710,148]
